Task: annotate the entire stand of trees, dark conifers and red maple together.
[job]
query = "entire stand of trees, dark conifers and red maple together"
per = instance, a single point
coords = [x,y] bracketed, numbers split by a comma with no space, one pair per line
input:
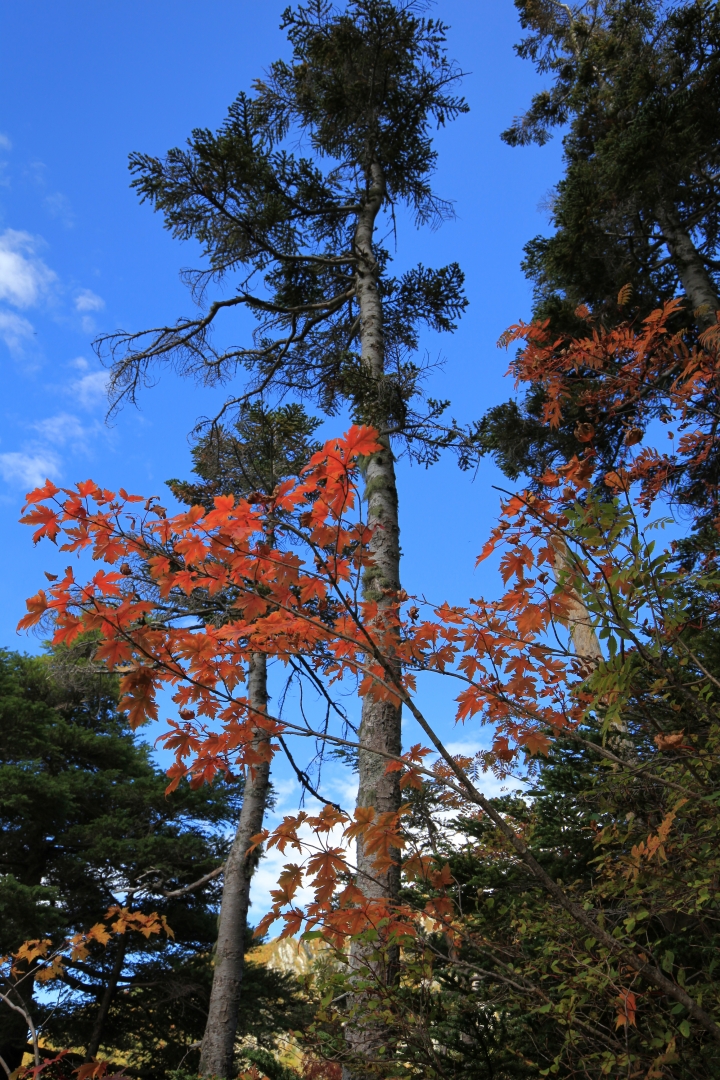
[544,906]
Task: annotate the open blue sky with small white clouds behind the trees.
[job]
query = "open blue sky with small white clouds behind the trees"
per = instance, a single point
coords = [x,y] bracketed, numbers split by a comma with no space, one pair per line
[85,84]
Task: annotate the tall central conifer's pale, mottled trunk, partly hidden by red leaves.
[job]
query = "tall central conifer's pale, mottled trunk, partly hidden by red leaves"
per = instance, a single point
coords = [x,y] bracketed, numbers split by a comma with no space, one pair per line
[381,724]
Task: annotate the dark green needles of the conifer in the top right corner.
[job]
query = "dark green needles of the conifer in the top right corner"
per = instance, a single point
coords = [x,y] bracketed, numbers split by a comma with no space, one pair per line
[636,86]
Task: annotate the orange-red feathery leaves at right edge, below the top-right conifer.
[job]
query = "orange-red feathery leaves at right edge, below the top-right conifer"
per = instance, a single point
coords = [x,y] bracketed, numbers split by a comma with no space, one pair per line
[623,379]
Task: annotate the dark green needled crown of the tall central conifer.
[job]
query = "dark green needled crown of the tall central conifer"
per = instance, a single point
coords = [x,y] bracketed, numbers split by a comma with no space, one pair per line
[363,89]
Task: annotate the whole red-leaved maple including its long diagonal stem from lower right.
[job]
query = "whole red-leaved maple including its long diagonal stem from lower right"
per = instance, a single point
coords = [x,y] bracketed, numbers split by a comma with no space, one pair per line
[519,674]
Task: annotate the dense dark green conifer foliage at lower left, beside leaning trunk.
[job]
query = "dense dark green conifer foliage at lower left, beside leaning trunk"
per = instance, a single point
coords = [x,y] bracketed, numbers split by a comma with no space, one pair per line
[85,819]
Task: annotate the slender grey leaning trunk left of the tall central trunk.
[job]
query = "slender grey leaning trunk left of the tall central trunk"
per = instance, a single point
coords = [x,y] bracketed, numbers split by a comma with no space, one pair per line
[220,1038]
